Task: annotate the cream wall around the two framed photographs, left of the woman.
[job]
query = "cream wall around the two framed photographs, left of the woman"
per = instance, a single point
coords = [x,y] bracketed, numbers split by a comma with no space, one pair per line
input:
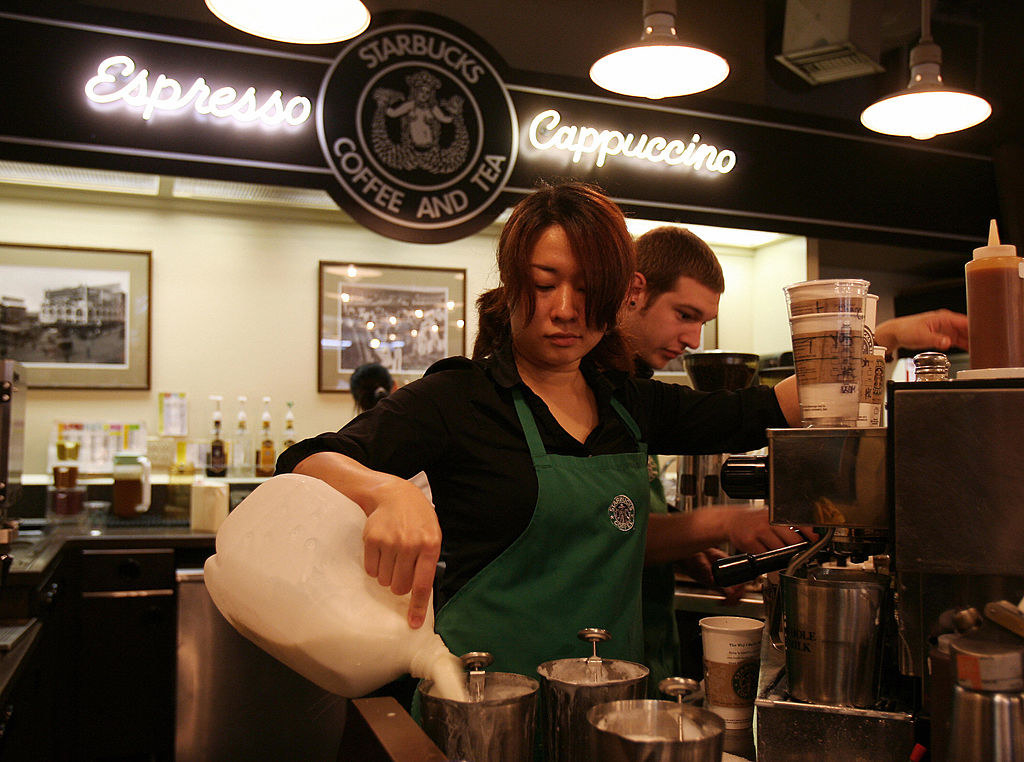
[234,307]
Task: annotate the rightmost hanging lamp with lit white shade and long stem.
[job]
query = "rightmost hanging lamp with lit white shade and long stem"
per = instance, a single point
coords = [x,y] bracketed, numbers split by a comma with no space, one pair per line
[927,108]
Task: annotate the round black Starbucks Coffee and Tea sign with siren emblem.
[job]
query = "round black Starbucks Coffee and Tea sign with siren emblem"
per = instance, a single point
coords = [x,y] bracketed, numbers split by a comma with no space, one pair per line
[419,132]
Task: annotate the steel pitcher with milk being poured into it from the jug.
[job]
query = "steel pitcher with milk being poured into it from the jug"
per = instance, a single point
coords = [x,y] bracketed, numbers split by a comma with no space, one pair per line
[496,725]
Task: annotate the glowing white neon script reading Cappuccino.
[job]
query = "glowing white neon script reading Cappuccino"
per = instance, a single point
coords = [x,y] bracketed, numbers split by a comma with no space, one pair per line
[546,134]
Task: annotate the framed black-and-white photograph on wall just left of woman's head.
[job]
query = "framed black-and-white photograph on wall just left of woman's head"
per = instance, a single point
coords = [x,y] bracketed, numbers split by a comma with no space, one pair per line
[404,318]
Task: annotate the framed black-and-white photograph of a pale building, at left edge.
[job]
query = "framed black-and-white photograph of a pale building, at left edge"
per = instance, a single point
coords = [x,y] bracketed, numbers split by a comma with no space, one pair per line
[76,319]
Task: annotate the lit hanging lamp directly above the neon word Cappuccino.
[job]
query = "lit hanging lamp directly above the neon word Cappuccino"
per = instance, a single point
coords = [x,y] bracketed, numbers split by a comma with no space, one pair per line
[660,66]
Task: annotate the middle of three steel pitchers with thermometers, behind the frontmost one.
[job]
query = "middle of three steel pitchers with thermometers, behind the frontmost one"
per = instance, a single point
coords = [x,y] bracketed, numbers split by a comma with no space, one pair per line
[572,687]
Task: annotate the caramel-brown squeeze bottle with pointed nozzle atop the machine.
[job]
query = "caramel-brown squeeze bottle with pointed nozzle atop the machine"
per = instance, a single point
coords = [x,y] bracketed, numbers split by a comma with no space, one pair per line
[996,305]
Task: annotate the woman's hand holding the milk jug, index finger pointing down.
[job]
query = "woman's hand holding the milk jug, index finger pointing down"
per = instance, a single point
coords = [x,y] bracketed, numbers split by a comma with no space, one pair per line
[402,543]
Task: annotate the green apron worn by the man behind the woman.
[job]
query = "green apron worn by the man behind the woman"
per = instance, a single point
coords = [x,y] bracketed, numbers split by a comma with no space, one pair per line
[661,633]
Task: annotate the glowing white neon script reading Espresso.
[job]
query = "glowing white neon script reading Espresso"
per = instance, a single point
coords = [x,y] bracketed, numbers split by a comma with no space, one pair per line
[118,79]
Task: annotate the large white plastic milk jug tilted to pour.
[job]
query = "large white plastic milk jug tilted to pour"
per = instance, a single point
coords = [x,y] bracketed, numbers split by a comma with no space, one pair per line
[288,575]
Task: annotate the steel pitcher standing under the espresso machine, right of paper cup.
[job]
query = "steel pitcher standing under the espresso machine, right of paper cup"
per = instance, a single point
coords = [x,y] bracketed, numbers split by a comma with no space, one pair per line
[833,636]
